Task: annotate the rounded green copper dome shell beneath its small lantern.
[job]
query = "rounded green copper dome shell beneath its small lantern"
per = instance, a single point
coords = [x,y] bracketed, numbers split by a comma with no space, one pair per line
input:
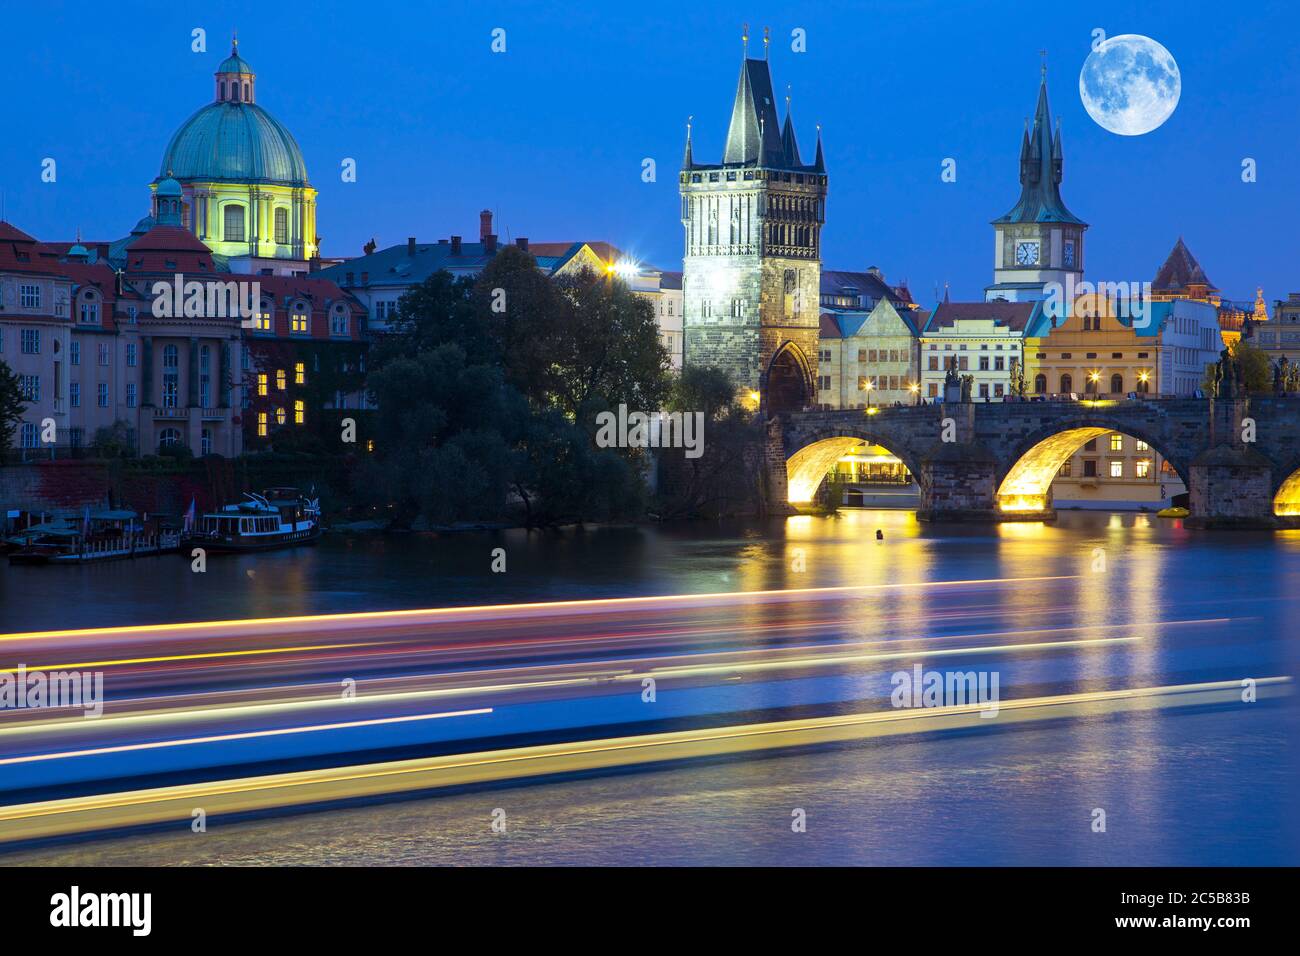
[235,142]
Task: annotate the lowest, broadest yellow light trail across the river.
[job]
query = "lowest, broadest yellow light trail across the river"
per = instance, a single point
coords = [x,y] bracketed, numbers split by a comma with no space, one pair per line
[176,804]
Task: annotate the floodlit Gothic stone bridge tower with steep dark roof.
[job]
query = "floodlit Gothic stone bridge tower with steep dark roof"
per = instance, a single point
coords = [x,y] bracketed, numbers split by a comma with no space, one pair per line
[752,270]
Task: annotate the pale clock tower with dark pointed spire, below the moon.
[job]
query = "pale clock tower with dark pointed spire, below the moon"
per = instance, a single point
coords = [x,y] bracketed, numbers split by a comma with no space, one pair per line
[1039,241]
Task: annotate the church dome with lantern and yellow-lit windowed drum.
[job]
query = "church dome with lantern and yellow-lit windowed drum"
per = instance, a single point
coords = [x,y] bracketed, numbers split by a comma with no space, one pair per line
[246,193]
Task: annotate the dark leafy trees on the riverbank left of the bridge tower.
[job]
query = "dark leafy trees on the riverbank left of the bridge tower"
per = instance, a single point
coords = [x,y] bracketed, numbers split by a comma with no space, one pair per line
[488,393]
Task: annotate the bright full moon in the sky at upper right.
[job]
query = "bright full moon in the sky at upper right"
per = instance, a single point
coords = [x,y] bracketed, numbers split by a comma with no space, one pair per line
[1130,85]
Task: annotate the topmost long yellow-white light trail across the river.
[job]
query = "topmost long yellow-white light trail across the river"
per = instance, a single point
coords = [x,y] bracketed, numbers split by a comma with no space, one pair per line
[597,604]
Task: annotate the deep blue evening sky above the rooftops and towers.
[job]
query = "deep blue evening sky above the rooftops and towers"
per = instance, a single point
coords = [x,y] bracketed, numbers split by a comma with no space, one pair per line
[552,135]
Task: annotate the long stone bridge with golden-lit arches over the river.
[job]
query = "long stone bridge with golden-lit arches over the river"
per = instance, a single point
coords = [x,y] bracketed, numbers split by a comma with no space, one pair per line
[995,461]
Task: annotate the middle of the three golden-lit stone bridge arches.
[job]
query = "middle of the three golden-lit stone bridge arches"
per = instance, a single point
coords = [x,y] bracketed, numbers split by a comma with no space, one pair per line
[1026,486]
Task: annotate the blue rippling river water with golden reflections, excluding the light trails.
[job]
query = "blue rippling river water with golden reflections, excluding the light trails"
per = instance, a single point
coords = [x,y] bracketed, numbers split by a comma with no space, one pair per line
[1184,788]
